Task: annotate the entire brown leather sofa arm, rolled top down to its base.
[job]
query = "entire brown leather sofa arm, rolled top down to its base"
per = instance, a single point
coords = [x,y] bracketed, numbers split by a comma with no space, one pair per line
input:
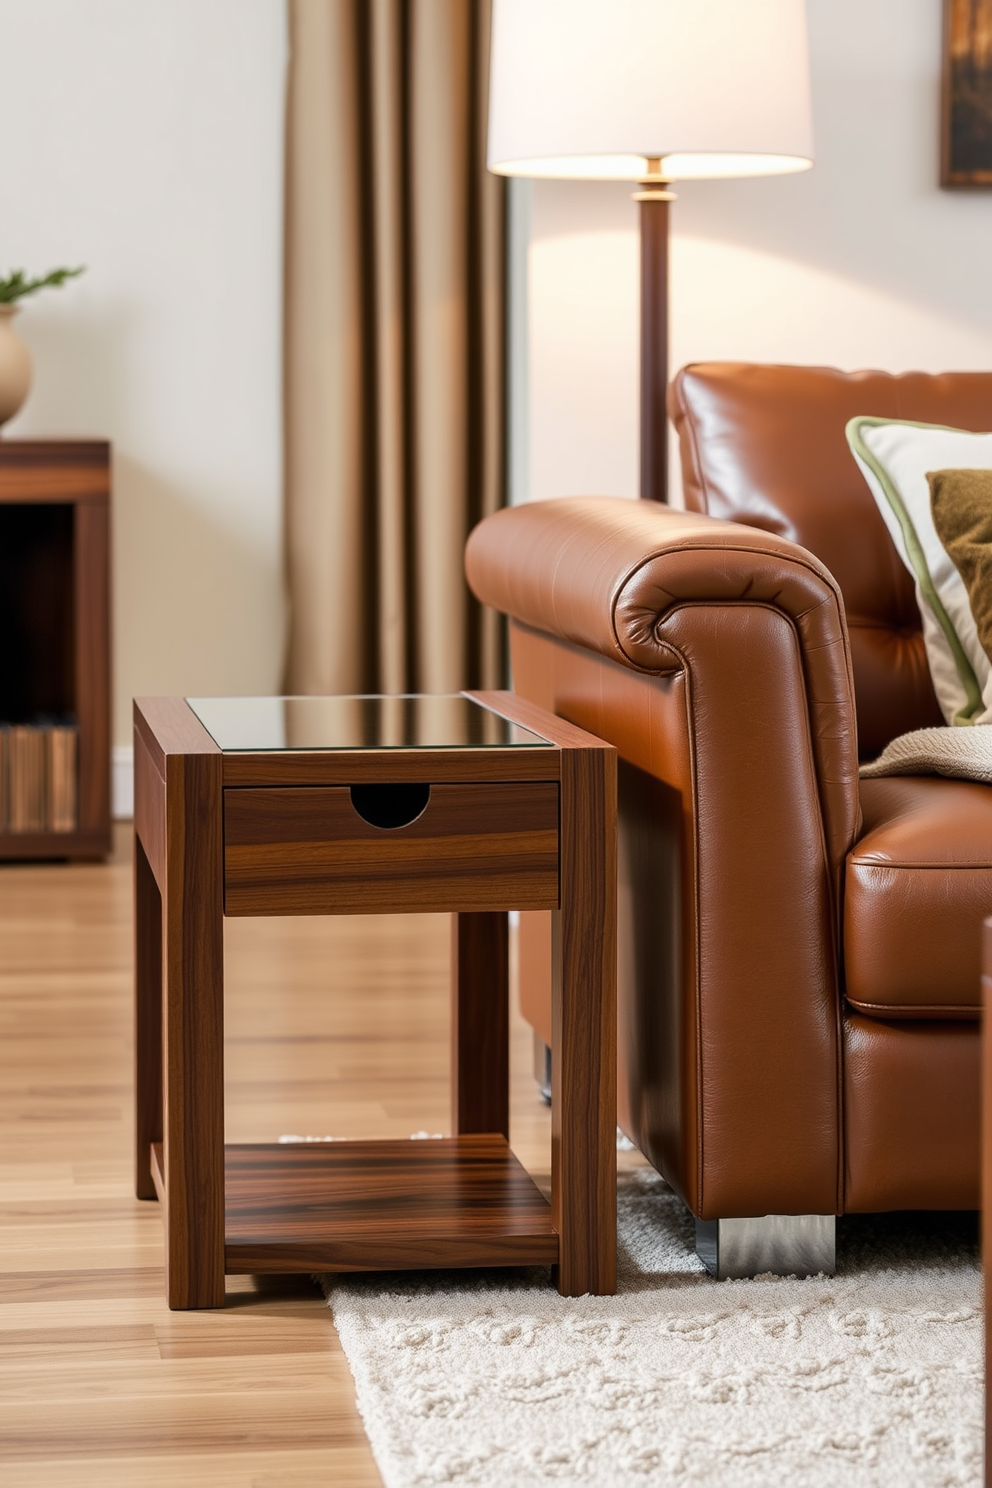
[716,658]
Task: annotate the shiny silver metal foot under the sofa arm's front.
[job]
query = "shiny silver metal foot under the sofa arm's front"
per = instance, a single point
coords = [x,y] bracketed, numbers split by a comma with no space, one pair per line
[785,1245]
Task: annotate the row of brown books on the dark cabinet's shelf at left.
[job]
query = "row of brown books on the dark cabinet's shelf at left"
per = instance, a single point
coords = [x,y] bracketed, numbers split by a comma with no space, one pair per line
[39,777]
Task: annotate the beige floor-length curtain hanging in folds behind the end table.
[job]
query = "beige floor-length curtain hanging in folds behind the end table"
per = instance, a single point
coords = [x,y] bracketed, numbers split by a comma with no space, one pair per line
[393,344]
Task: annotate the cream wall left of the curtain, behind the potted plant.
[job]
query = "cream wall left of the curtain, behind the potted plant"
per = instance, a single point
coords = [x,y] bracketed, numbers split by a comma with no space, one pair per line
[145,141]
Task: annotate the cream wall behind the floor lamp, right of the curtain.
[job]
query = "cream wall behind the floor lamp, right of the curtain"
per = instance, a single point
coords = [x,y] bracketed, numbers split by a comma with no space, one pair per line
[860,263]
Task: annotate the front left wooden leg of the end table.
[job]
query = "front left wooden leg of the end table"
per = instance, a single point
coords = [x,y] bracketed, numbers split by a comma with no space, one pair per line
[194,1032]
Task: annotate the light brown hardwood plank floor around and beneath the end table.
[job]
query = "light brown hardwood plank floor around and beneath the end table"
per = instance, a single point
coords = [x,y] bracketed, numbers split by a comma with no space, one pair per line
[335,1027]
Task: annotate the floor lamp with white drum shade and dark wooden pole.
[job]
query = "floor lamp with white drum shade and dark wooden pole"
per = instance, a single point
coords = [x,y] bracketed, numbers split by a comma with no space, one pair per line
[652,92]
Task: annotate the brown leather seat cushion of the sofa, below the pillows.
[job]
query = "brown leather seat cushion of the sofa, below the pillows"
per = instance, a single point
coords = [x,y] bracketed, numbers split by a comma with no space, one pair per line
[918,888]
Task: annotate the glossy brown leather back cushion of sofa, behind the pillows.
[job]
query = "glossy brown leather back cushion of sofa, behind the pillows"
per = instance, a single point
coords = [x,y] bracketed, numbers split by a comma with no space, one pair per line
[765,446]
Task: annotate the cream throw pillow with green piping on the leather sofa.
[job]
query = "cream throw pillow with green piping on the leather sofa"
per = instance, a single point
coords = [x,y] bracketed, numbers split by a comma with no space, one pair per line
[896,458]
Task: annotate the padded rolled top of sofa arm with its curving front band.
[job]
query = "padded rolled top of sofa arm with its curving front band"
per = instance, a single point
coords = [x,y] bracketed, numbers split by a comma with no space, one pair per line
[613,575]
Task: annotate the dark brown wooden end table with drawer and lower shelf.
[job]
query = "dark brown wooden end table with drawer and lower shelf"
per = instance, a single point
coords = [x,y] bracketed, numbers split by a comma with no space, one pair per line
[472,804]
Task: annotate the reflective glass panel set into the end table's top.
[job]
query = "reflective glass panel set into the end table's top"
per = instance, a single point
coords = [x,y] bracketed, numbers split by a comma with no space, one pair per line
[414,721]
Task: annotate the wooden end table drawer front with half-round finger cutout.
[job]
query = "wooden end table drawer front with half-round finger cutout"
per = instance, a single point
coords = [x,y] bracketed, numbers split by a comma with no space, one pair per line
[472,847]
